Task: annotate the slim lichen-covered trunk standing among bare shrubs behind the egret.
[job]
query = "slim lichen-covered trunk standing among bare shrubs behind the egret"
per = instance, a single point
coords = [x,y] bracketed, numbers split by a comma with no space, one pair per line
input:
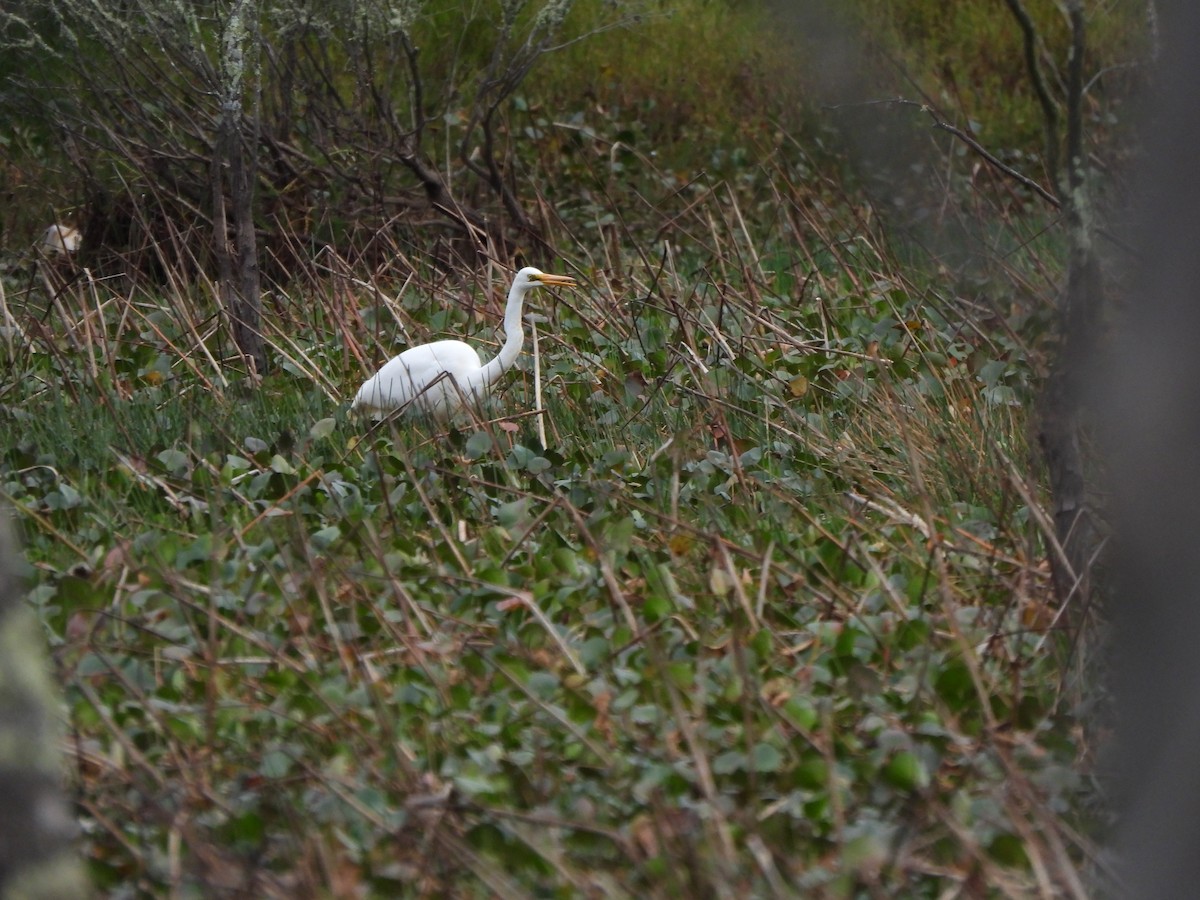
[233,177]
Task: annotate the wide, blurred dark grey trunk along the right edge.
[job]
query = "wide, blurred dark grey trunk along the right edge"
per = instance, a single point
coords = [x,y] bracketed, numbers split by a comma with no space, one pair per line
[1150,405]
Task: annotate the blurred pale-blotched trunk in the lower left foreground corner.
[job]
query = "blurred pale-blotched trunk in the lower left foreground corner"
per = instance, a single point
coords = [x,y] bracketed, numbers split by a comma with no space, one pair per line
[38,830]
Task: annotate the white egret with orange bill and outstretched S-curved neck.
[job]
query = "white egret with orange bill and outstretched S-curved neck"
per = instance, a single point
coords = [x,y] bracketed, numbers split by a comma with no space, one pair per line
[437,379]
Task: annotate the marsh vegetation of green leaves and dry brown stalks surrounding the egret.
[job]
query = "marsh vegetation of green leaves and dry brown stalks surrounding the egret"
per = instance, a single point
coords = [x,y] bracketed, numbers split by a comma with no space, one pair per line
[767,614]
